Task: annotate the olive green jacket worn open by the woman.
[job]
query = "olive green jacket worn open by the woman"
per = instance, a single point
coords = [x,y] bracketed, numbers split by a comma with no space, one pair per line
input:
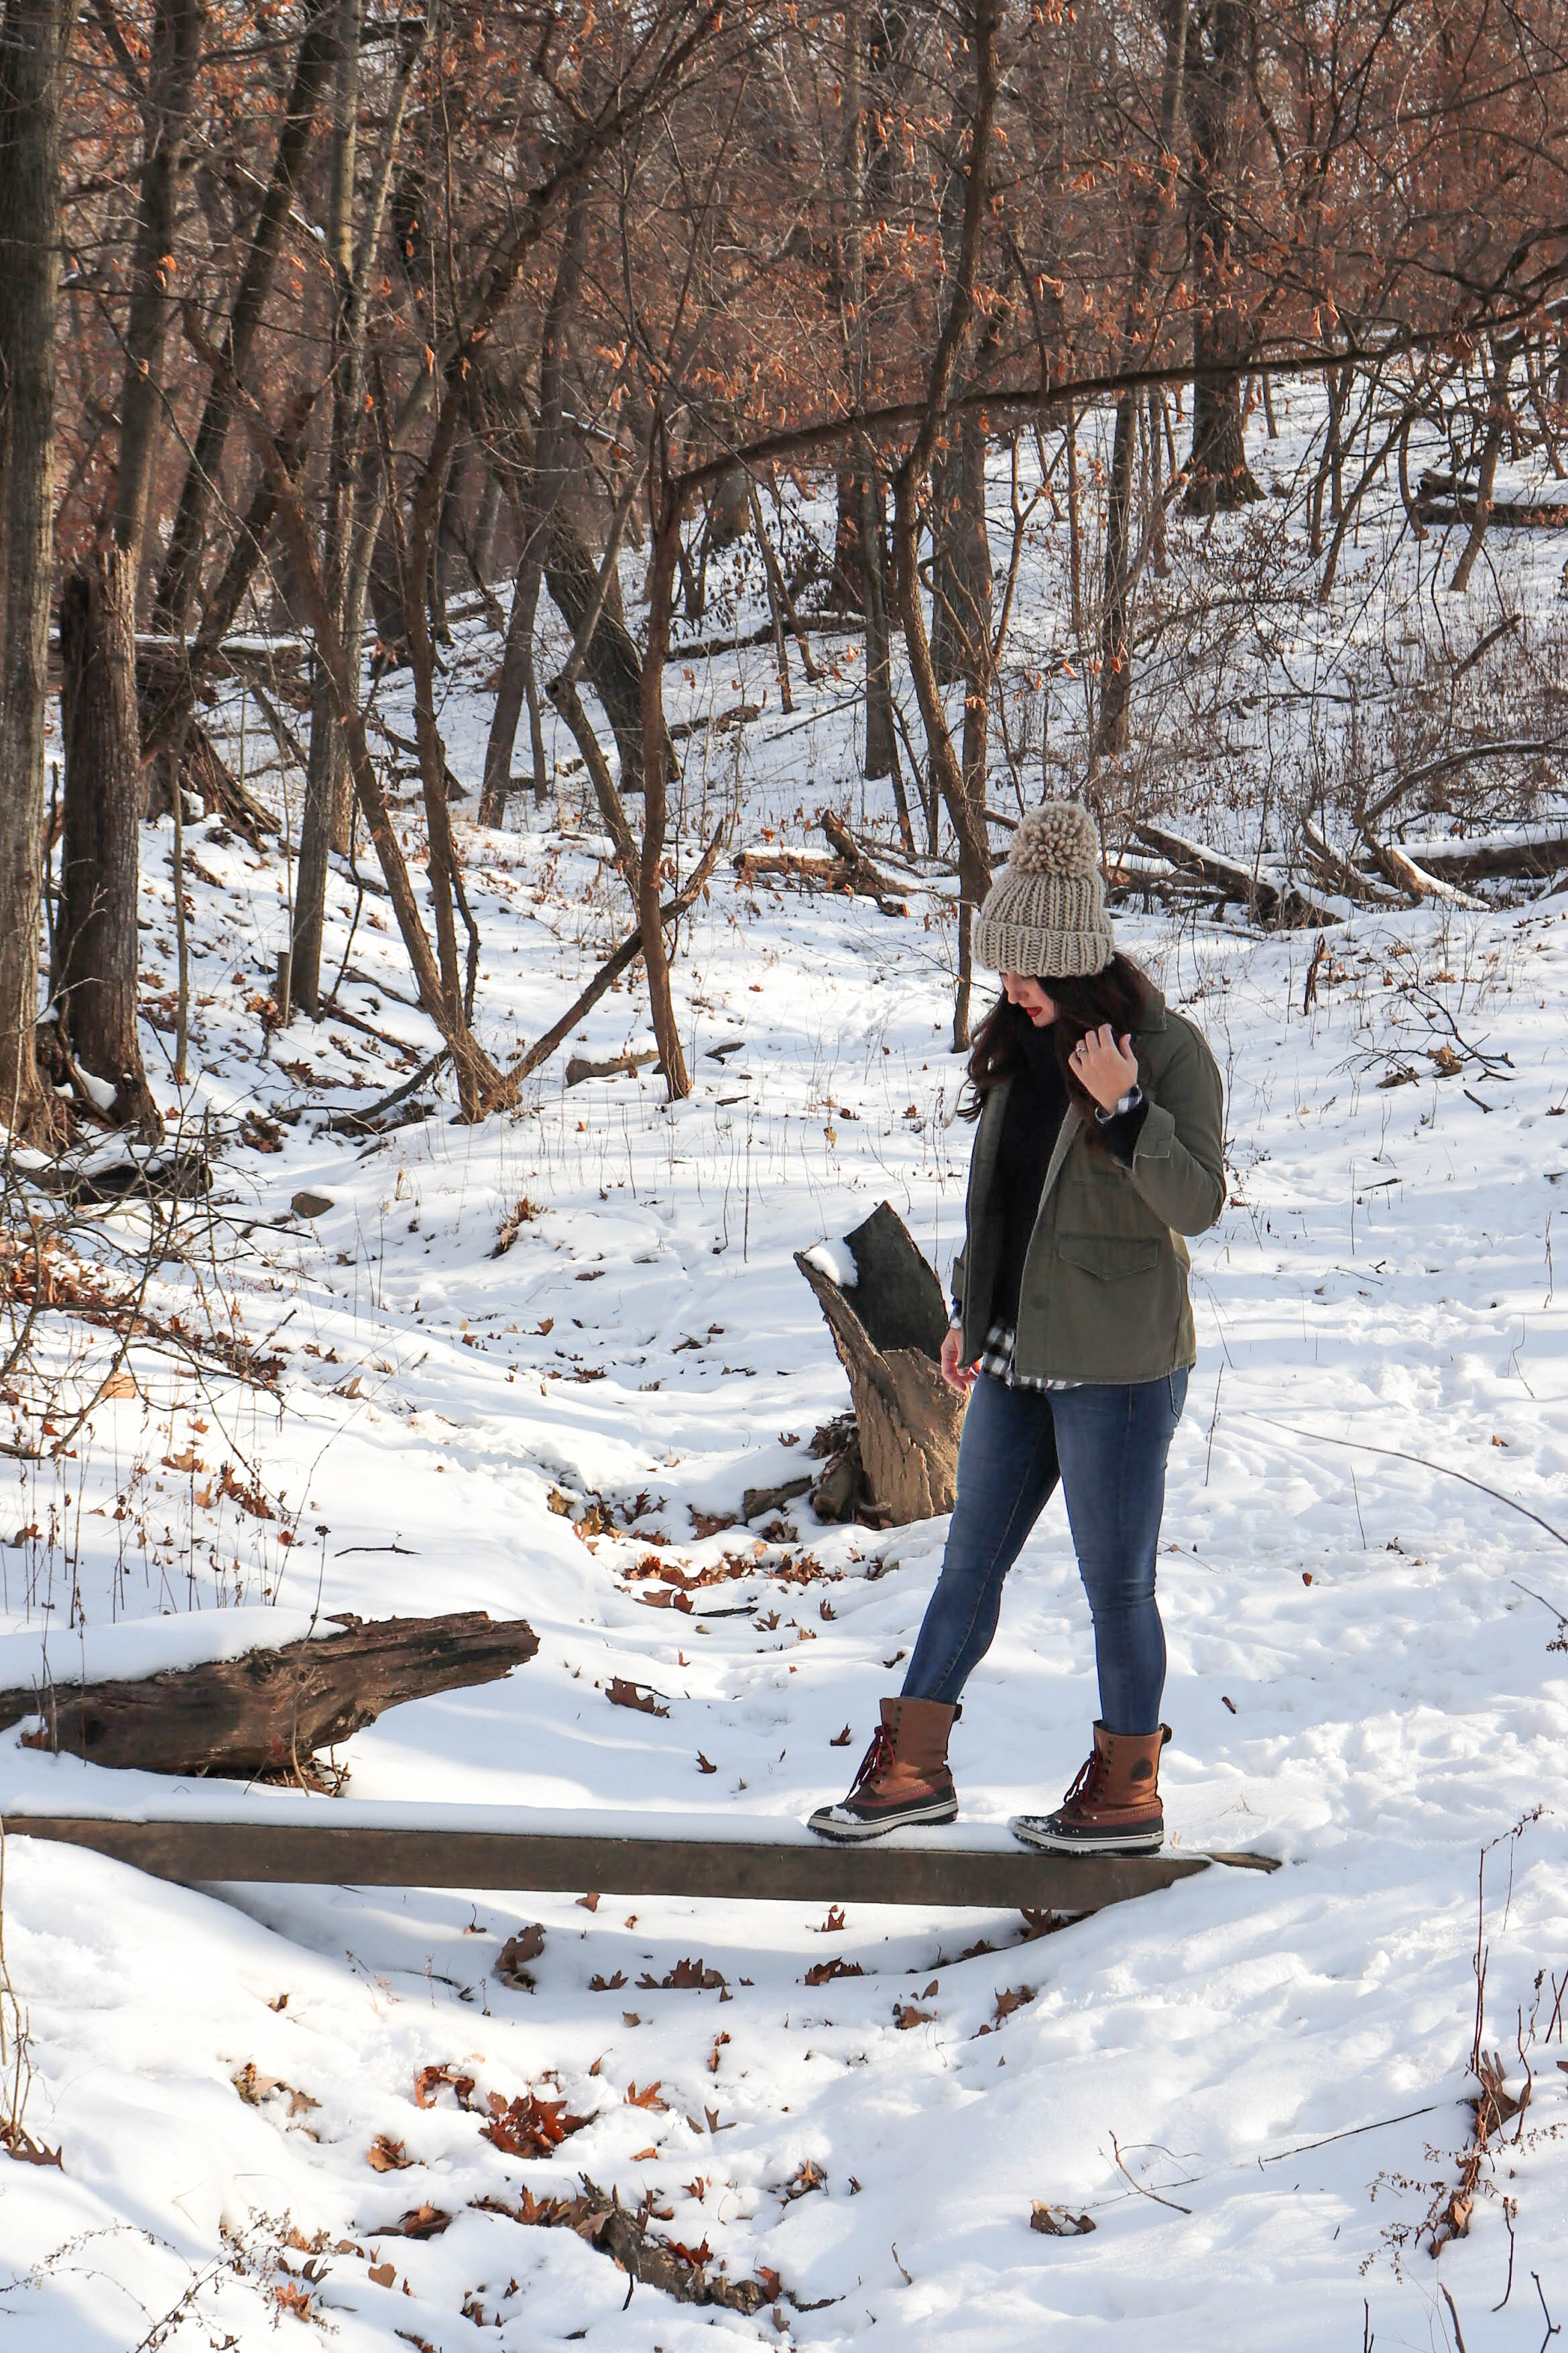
[1106,1277]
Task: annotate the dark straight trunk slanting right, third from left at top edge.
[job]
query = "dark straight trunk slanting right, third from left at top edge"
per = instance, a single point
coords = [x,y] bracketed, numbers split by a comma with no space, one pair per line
[187,540]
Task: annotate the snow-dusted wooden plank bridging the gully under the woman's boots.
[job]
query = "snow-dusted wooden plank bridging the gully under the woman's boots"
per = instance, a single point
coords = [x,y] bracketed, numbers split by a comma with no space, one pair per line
[328,1853]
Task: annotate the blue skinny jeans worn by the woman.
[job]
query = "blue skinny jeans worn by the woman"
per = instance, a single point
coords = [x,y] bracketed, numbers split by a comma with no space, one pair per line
[1108,1448]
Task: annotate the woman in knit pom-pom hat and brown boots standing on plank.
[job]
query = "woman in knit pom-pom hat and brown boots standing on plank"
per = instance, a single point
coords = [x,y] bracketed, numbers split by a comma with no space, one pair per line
[1099,1147]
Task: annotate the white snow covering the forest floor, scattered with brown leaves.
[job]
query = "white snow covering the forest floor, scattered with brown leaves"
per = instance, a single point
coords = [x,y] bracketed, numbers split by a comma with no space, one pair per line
[1252,2086]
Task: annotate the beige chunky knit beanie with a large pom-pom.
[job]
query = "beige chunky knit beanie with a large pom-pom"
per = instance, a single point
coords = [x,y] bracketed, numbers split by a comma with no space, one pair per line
[1045,914]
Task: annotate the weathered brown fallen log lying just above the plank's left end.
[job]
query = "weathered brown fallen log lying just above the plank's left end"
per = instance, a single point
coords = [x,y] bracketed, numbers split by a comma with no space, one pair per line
[269,1709]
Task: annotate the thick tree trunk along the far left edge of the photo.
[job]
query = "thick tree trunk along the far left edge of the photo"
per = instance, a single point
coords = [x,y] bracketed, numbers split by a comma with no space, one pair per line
[34,41]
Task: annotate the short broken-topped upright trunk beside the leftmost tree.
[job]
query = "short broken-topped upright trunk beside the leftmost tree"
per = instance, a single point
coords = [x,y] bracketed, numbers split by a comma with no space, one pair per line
[98,905]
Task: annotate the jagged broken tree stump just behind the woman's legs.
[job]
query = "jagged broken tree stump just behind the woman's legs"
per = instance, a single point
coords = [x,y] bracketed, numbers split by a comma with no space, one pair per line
[890,1326]
